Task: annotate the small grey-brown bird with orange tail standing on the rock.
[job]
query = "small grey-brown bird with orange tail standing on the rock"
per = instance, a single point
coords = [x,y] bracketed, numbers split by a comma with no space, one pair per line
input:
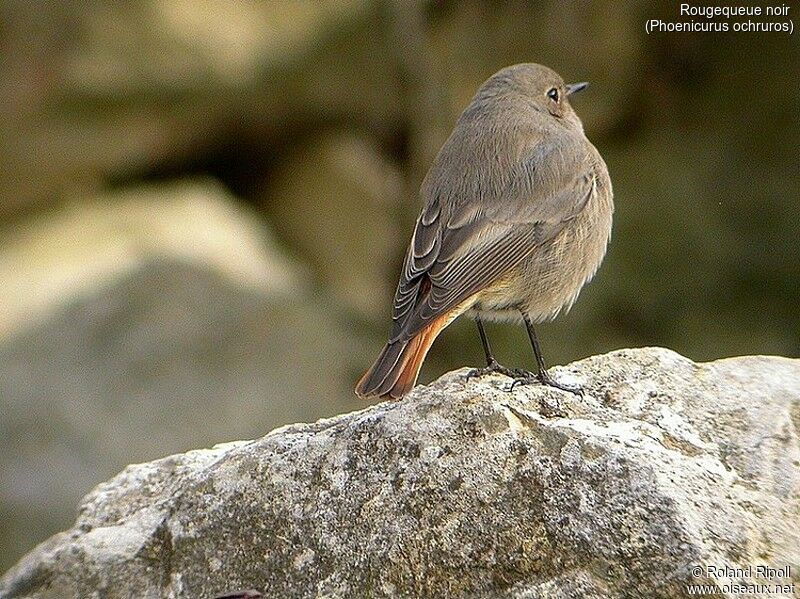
[516,218]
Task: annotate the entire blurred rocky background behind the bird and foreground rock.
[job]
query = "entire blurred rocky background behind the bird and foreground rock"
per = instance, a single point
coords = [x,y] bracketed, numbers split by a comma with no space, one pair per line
[203,207]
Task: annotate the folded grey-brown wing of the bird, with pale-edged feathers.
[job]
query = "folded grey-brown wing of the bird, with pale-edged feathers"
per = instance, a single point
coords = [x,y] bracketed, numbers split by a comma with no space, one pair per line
[458,250]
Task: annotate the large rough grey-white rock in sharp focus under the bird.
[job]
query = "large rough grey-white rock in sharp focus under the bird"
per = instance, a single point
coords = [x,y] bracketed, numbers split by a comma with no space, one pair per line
[466,489]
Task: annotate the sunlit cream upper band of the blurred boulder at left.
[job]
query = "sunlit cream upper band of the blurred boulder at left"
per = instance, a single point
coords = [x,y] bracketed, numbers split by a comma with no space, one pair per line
[60,257]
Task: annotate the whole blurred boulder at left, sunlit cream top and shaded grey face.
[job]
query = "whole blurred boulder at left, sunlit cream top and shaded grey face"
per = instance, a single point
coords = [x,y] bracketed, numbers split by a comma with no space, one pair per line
[149,322]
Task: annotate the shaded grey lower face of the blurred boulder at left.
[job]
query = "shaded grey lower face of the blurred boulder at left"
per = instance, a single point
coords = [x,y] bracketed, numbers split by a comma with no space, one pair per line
[169,357]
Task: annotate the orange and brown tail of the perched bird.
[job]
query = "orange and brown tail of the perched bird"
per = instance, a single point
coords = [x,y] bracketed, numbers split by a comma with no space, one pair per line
[395,371]
